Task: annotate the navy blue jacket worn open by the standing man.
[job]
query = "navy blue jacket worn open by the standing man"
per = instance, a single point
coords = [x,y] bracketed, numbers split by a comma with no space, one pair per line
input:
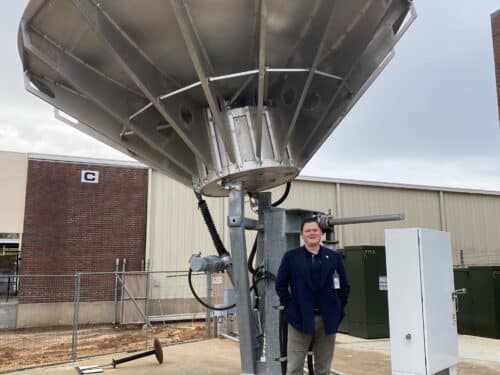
[294,288]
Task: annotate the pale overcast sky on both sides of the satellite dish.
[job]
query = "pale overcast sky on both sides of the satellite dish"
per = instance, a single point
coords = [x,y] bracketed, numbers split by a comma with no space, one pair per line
[431,118]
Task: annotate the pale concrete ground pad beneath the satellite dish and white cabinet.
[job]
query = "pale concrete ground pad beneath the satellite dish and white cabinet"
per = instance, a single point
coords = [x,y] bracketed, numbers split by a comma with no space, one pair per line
[353,356]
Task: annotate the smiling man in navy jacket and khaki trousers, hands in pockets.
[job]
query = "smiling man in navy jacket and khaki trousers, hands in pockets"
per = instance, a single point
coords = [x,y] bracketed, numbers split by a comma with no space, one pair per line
[313,287]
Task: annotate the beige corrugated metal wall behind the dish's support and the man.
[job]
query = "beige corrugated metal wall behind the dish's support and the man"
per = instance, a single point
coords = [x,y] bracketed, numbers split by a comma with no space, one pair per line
[472,218]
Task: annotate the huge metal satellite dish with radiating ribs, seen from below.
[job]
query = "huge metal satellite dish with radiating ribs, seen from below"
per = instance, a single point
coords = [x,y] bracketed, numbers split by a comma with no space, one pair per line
[210,92]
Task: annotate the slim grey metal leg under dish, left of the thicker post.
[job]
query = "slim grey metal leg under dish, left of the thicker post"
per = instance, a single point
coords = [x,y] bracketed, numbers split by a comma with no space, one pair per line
[246,324]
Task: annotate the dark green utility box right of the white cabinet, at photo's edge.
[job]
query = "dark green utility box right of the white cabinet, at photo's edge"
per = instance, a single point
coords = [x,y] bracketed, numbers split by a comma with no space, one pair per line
[479,309]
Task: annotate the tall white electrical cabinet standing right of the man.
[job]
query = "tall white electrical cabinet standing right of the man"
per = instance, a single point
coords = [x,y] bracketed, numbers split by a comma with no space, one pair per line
[422,316]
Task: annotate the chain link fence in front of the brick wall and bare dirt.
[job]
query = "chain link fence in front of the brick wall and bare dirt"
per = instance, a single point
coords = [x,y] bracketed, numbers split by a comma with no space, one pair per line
[59,318]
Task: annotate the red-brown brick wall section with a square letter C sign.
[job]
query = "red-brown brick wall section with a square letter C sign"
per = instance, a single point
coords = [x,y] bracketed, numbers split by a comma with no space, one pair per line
[73,225]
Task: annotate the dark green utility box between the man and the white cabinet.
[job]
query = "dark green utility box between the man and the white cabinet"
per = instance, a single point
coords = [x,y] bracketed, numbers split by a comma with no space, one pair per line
[367,310]
